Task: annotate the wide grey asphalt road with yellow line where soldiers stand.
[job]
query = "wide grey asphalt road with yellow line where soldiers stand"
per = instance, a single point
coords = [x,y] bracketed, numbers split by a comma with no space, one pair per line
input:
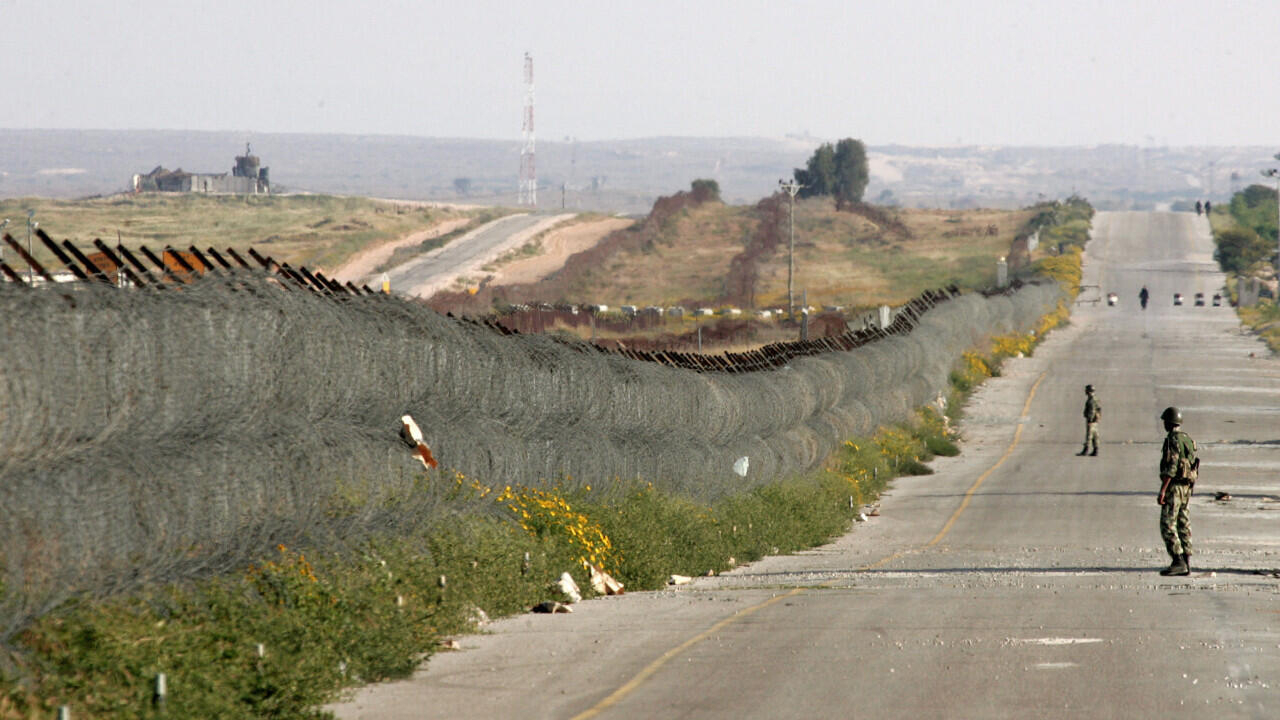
[1021,581]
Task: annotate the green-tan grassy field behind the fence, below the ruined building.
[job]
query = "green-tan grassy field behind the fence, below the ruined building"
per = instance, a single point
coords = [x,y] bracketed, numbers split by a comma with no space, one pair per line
[318,231]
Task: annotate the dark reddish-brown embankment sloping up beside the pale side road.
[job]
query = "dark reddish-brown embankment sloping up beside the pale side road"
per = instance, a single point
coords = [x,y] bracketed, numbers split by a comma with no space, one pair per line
[554,288]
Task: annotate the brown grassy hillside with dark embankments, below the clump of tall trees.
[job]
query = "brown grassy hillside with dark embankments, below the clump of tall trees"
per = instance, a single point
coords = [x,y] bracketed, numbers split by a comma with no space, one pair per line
[710,254]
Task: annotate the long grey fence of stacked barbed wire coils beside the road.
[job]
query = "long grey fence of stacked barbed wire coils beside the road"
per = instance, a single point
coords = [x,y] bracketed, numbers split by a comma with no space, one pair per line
[150,436]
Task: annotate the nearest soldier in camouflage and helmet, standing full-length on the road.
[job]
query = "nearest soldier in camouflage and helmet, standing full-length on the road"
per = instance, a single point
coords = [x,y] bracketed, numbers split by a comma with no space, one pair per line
[1178,471]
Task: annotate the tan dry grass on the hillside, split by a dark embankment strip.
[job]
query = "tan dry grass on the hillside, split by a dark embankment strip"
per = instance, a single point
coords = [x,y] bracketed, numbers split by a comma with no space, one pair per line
[842,258]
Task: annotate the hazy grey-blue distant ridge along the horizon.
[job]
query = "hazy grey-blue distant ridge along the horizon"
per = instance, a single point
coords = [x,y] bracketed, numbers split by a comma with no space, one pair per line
[619,175]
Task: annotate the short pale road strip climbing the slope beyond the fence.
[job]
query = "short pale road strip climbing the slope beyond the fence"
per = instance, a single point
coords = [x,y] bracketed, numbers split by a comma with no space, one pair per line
[436,271]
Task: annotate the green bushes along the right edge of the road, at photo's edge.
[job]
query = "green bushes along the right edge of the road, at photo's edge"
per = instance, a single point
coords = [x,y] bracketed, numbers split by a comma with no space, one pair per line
[1245,234]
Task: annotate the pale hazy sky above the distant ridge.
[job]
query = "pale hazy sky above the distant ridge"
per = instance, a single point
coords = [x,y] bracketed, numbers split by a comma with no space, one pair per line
[939,72]
